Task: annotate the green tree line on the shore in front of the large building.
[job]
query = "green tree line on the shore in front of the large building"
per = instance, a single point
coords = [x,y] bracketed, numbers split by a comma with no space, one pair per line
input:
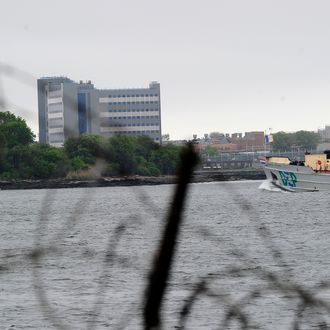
[22,158]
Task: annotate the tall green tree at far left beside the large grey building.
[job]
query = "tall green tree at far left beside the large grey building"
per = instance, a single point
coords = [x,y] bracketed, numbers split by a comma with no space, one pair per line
[15,130]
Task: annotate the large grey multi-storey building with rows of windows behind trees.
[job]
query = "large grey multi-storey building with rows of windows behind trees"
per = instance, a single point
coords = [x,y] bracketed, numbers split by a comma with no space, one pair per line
[68,109]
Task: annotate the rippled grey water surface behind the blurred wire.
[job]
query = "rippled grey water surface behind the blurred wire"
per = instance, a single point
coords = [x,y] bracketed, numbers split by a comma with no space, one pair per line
[93,275]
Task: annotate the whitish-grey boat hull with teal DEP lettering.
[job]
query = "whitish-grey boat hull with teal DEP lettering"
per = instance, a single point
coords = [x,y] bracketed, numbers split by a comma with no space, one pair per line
[297,178]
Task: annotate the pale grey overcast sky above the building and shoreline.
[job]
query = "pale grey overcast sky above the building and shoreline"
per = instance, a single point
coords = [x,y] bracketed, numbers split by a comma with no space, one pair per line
[228,66]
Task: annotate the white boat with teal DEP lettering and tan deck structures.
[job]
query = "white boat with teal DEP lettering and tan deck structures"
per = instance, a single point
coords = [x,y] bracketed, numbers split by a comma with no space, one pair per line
[313,174]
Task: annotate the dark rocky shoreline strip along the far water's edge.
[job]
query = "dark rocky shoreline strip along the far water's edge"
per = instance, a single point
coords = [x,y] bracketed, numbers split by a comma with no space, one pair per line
[199,176]
